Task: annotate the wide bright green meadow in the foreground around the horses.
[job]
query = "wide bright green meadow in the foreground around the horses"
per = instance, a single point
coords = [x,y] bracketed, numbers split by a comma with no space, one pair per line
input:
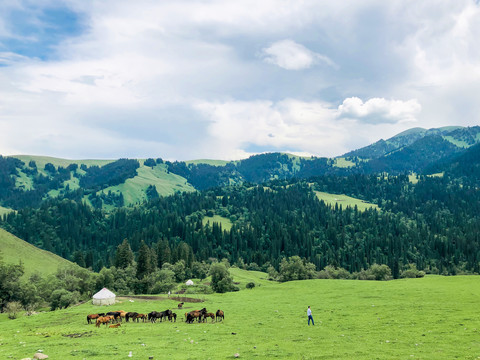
[429,318]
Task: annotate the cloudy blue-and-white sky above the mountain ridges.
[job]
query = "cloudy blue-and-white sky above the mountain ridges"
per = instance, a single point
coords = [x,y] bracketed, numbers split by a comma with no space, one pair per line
[226,79]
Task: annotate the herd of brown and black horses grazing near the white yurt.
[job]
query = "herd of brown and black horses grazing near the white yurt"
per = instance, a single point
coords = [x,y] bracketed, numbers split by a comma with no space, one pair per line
[114,318]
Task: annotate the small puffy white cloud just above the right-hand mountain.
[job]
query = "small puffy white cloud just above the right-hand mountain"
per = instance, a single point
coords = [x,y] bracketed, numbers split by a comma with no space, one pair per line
[379,110]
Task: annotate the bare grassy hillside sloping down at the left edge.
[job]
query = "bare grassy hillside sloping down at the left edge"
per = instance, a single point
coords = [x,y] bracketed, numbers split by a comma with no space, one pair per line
[13,250]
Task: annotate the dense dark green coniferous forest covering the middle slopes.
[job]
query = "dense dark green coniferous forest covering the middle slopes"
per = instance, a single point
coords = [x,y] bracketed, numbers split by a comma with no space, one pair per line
[433,223]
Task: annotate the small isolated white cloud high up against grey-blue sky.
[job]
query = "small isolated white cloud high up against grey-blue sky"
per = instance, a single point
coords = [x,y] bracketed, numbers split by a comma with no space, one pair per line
[293,56]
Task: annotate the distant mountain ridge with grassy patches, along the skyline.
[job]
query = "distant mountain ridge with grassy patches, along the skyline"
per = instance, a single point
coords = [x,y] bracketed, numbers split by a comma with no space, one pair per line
[29,180]
